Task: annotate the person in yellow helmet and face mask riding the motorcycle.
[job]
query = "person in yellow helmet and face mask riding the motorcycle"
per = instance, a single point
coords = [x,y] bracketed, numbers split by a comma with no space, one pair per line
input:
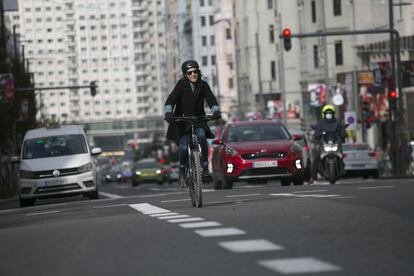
[328,124]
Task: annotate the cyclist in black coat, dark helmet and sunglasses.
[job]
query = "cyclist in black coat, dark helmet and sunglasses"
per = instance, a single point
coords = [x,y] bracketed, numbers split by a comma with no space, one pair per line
[187,99]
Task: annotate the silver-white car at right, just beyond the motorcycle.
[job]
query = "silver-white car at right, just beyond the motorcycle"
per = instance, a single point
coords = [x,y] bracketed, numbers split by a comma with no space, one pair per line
[360,159]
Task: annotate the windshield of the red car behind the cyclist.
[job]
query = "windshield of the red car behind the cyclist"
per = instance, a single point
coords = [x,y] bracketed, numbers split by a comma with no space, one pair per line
[264,132]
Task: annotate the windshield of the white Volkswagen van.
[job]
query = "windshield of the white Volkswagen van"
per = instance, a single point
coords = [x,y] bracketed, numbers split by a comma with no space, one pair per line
[53,146]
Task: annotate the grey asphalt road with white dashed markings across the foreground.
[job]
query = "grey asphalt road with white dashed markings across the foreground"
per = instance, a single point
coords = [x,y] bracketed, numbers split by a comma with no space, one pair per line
[355,227]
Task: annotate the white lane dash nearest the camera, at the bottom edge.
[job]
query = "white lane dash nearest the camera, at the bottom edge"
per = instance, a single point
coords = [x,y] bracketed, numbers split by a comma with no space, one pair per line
[299,265]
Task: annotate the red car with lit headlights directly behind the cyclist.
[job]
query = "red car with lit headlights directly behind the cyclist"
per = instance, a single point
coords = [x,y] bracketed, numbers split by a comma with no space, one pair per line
[256,150]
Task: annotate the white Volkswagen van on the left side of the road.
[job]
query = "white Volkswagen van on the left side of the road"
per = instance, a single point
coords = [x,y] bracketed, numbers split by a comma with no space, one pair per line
[56,161]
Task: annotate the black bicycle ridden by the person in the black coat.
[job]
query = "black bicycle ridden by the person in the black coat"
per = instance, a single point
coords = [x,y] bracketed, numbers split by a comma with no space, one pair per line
[193,169]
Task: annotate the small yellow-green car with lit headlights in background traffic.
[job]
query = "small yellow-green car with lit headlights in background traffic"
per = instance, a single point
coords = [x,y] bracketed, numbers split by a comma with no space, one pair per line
[147,170]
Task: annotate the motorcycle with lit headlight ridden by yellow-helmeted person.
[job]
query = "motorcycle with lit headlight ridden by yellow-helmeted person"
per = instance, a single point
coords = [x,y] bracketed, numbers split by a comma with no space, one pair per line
[331,165]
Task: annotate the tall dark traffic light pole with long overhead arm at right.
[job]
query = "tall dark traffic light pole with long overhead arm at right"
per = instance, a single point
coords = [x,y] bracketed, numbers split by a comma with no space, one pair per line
[398,113]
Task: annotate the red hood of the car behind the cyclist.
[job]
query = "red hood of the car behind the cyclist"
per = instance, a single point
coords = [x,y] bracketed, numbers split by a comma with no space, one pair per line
[270,146]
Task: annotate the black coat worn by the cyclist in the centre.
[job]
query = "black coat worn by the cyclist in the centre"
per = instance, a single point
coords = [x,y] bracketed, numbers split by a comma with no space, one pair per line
[185,102]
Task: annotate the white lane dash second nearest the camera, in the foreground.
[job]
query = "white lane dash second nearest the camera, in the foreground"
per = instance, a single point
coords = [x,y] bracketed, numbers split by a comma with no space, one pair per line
[244,246]
